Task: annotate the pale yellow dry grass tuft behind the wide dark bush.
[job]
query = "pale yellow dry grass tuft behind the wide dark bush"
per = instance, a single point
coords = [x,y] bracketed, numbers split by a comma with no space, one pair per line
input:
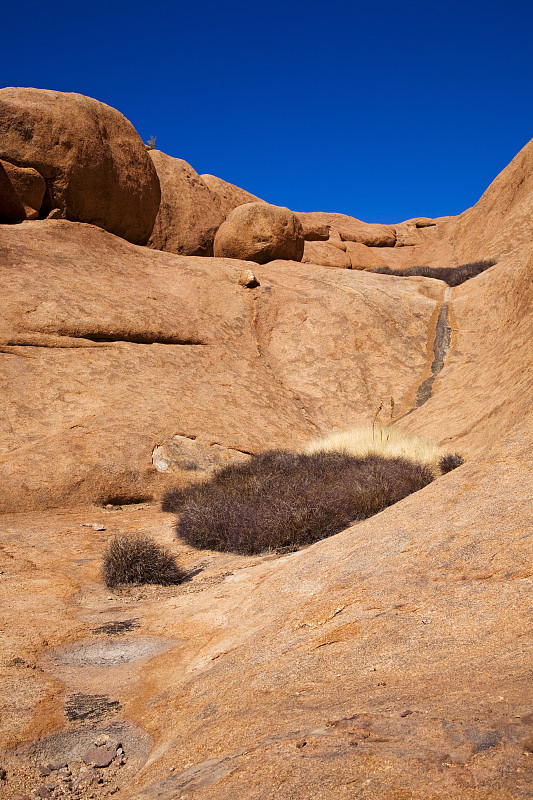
[388,442]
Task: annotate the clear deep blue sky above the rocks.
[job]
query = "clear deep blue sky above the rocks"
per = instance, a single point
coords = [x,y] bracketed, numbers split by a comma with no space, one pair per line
[384,111]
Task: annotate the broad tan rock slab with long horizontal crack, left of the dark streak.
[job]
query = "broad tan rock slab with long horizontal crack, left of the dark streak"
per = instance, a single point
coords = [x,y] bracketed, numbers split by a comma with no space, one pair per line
[119,344]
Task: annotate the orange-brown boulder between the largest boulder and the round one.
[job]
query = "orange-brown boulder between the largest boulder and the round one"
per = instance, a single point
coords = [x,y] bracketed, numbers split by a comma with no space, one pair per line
[188,216]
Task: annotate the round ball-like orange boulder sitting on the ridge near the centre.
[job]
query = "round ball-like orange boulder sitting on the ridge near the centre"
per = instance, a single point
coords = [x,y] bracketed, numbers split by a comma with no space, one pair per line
[260,232]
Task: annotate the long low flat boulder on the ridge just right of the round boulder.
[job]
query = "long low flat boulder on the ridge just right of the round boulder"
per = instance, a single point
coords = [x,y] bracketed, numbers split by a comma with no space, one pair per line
[315,224]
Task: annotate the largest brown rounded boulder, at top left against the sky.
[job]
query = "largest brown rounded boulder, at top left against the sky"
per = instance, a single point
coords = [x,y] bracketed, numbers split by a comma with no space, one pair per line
[94,163]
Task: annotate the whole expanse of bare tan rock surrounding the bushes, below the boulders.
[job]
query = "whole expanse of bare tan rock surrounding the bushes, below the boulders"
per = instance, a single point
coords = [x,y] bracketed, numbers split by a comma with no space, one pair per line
[389,662]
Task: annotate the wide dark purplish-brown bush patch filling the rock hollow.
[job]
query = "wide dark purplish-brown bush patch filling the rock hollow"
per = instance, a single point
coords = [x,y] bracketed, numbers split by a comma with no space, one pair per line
[280,499]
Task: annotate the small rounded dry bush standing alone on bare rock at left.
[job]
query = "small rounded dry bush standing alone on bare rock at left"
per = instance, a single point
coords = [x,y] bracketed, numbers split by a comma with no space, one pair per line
[139,559]
